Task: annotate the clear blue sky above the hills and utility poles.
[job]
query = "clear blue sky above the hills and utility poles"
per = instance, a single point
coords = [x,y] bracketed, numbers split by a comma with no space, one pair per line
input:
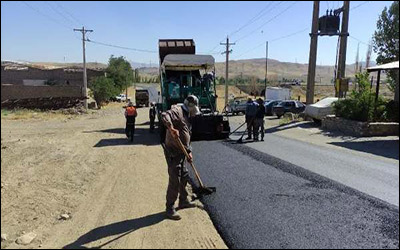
[29,35]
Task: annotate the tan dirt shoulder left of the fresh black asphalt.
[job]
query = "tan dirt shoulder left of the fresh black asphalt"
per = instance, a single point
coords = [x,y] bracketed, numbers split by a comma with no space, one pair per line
[113,191]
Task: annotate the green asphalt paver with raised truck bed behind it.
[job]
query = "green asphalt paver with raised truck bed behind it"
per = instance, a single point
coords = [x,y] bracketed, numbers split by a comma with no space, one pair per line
[184,73]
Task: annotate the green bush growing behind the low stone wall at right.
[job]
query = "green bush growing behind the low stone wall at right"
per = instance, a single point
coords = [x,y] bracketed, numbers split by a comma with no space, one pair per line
[361,104]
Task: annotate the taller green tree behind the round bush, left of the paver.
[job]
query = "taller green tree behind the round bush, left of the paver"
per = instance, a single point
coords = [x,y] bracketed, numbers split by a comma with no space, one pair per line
[120,71]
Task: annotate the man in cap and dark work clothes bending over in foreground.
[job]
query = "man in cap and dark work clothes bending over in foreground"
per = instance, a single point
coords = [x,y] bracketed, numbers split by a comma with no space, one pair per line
[177,122]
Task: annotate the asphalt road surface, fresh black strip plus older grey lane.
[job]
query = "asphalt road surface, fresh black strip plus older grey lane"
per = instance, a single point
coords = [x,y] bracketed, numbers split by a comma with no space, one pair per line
[263,201]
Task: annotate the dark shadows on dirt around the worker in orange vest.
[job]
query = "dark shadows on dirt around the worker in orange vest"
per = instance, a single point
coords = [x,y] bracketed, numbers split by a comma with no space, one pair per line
[142,137]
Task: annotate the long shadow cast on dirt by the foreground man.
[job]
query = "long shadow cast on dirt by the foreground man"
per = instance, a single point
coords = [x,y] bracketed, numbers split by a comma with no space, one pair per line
[122,229]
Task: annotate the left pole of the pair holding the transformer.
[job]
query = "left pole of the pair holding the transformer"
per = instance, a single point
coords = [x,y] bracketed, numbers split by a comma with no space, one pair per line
[313,55]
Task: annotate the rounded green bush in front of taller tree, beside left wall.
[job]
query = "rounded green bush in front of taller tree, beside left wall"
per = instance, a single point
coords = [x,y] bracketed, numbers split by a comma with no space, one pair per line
[103,89]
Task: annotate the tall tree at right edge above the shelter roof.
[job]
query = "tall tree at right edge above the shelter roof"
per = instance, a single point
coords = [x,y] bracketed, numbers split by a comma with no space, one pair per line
[386,39]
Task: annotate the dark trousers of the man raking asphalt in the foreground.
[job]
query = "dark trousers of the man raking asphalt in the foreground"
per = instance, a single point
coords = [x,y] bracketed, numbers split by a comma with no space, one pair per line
[178,179]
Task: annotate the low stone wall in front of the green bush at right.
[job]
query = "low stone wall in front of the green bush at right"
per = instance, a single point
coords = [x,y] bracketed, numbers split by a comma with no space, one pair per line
[360,129]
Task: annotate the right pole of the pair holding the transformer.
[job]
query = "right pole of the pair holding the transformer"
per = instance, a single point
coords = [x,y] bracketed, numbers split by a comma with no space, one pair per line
[343,44]
